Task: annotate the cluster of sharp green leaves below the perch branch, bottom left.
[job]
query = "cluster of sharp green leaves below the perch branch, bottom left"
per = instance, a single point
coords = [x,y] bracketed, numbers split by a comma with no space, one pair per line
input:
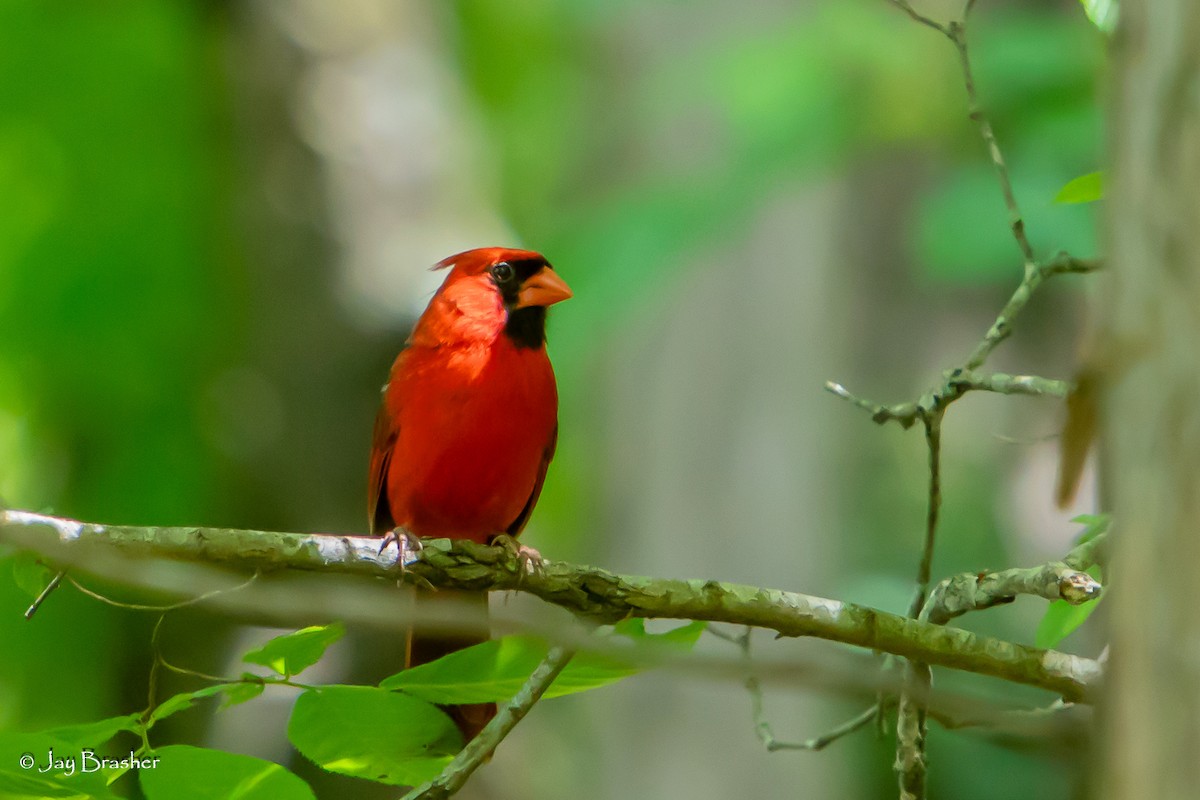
[398,738]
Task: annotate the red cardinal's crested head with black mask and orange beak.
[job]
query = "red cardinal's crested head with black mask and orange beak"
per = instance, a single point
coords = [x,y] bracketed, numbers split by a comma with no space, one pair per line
[496,288]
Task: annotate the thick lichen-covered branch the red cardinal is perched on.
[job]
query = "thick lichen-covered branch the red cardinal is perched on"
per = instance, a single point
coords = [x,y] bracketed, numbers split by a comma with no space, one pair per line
[591,593]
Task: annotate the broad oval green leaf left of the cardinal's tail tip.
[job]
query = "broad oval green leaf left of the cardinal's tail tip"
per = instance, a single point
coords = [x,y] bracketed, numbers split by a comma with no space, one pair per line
[374,735]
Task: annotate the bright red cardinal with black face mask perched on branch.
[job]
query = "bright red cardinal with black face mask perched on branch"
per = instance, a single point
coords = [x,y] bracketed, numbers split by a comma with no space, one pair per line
[469,426]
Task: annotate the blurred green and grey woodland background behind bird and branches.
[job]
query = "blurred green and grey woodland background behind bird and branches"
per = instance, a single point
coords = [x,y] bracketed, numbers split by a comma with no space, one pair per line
[215,226]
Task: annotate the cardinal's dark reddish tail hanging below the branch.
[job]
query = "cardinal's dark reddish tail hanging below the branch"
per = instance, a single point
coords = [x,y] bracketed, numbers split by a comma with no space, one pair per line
[429,641]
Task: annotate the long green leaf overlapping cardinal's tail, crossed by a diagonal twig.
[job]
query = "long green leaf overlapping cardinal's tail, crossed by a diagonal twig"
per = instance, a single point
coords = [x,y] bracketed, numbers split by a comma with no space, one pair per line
[495,671]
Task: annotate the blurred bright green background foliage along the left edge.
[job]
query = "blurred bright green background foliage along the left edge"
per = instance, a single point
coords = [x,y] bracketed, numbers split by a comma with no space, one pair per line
[117,306]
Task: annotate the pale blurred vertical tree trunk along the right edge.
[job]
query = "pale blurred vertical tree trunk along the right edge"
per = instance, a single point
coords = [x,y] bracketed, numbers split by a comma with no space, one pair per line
[1151,351]
